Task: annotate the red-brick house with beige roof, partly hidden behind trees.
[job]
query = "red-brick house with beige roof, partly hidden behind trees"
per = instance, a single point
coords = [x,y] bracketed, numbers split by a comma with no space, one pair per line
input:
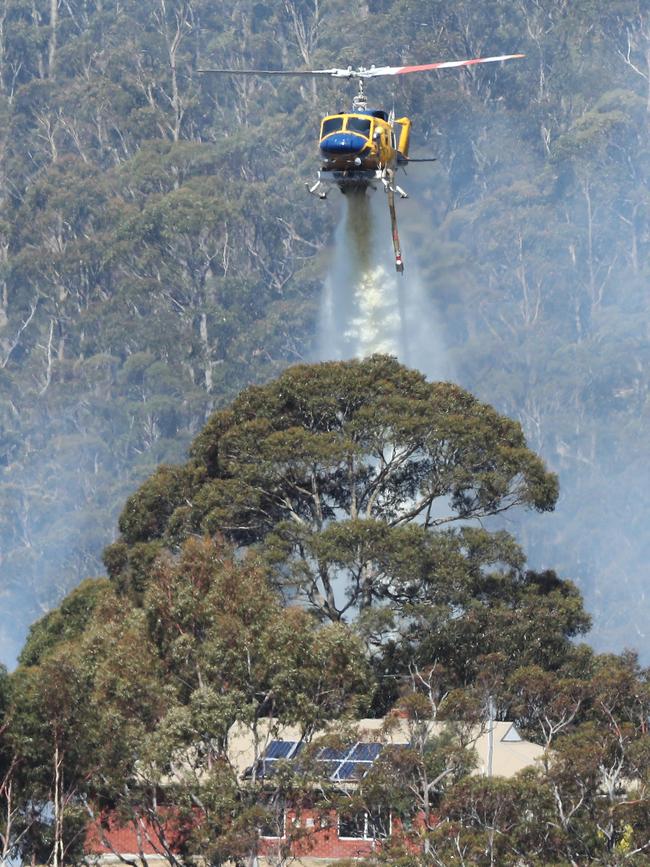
[317,838]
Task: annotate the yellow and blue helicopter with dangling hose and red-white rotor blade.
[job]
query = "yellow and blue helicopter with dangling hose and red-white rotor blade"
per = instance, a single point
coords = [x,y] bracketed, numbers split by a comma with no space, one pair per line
[364,147]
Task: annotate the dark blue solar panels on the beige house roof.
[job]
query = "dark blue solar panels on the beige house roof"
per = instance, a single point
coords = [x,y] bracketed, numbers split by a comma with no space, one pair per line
[349,765]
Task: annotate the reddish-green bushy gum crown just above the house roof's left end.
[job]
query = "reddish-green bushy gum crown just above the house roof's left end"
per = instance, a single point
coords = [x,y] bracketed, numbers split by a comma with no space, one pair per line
[218,622]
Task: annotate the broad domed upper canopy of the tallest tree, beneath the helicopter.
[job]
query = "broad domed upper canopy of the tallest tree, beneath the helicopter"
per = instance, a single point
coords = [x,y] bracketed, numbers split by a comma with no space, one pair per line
[335,467]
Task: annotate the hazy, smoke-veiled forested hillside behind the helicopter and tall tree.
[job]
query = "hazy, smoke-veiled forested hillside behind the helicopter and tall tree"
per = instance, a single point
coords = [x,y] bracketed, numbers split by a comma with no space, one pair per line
[159,251]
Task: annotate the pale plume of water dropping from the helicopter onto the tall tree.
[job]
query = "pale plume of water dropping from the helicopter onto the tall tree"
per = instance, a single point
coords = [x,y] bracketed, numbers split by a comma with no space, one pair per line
[367,306]
